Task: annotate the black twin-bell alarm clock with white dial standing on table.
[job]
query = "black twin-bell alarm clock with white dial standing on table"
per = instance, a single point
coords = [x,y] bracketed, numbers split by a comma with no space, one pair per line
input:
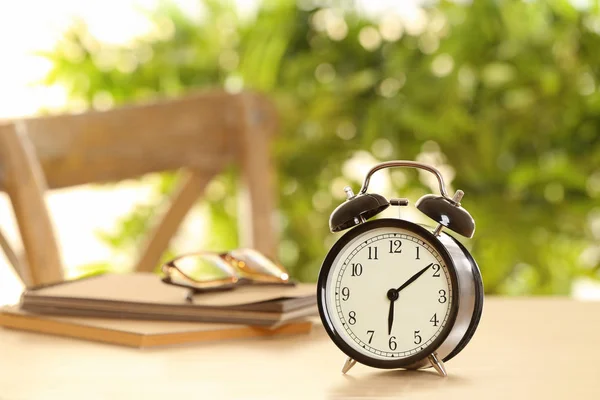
[396,294]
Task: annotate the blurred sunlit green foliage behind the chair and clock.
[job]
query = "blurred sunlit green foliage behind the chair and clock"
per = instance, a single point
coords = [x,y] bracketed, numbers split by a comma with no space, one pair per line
[501,95]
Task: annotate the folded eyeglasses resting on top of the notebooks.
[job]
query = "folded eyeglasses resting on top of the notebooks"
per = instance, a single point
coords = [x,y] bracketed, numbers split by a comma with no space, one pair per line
[210,271]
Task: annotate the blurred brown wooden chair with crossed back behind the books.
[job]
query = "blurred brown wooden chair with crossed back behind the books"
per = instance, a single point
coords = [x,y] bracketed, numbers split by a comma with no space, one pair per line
[200,134]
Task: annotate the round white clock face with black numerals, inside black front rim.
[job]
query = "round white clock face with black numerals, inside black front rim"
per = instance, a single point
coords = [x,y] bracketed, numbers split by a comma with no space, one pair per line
[387,292]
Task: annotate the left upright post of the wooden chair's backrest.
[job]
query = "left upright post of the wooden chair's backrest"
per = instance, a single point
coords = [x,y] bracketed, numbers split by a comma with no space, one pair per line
[23,180]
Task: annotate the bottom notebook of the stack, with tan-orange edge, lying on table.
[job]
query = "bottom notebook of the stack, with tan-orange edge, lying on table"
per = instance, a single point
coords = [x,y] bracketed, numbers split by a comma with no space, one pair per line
[139,333]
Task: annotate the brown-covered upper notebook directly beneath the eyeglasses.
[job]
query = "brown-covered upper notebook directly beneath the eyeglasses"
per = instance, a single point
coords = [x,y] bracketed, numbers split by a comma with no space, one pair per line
[143,296]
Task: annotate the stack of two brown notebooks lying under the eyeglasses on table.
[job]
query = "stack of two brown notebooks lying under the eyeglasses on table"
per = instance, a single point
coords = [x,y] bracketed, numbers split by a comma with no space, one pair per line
[139,310]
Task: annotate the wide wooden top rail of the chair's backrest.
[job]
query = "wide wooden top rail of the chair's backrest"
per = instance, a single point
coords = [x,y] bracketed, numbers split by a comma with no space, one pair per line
[195,131]
